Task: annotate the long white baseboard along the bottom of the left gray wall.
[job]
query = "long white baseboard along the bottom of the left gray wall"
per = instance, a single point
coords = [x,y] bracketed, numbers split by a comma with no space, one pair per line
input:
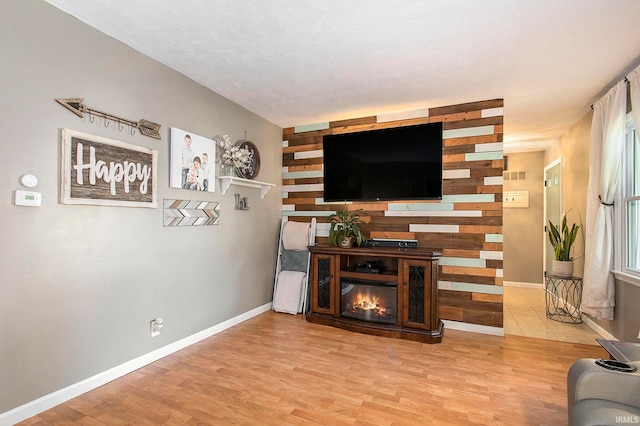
[60,396]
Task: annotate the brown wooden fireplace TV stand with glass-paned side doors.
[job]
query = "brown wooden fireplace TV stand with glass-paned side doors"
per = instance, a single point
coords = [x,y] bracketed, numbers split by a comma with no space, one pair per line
[412,274]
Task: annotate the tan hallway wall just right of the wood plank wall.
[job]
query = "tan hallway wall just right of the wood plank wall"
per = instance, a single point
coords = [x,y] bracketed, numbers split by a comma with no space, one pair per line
[522,229]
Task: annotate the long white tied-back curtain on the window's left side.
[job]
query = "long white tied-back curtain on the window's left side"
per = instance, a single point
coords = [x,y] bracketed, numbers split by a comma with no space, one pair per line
[607,143]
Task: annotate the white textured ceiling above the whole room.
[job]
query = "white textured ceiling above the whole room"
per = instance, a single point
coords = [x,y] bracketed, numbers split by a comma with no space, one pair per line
[302,62]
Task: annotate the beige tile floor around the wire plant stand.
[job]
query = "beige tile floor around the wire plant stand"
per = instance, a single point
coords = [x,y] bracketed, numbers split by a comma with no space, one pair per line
[525,315]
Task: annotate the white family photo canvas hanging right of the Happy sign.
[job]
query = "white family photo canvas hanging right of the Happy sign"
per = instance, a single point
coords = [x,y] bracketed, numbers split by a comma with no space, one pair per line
[192,161]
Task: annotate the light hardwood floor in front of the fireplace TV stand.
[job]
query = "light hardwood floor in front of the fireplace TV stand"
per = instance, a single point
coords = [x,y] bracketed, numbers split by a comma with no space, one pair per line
[278,369]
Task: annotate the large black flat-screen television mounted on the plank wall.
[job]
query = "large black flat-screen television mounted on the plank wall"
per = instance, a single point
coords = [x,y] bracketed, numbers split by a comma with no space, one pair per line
[402,163]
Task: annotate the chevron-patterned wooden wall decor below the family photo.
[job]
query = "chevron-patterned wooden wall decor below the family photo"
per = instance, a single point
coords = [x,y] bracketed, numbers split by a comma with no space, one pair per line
[191,213]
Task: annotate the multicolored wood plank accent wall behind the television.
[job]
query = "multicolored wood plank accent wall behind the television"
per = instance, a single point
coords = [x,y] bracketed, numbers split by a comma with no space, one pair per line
[466,224]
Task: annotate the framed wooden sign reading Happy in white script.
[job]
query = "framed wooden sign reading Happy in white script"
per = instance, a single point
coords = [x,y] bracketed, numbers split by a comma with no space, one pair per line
[106,172]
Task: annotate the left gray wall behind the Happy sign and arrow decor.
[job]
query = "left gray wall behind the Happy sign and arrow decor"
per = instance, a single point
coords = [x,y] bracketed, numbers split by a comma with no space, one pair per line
[81,283]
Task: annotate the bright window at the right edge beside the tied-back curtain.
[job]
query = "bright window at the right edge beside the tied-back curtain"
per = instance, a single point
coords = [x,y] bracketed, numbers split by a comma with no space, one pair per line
[628,200]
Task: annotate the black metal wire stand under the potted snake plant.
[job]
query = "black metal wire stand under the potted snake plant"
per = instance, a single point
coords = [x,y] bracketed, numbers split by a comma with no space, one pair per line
[563,296]
